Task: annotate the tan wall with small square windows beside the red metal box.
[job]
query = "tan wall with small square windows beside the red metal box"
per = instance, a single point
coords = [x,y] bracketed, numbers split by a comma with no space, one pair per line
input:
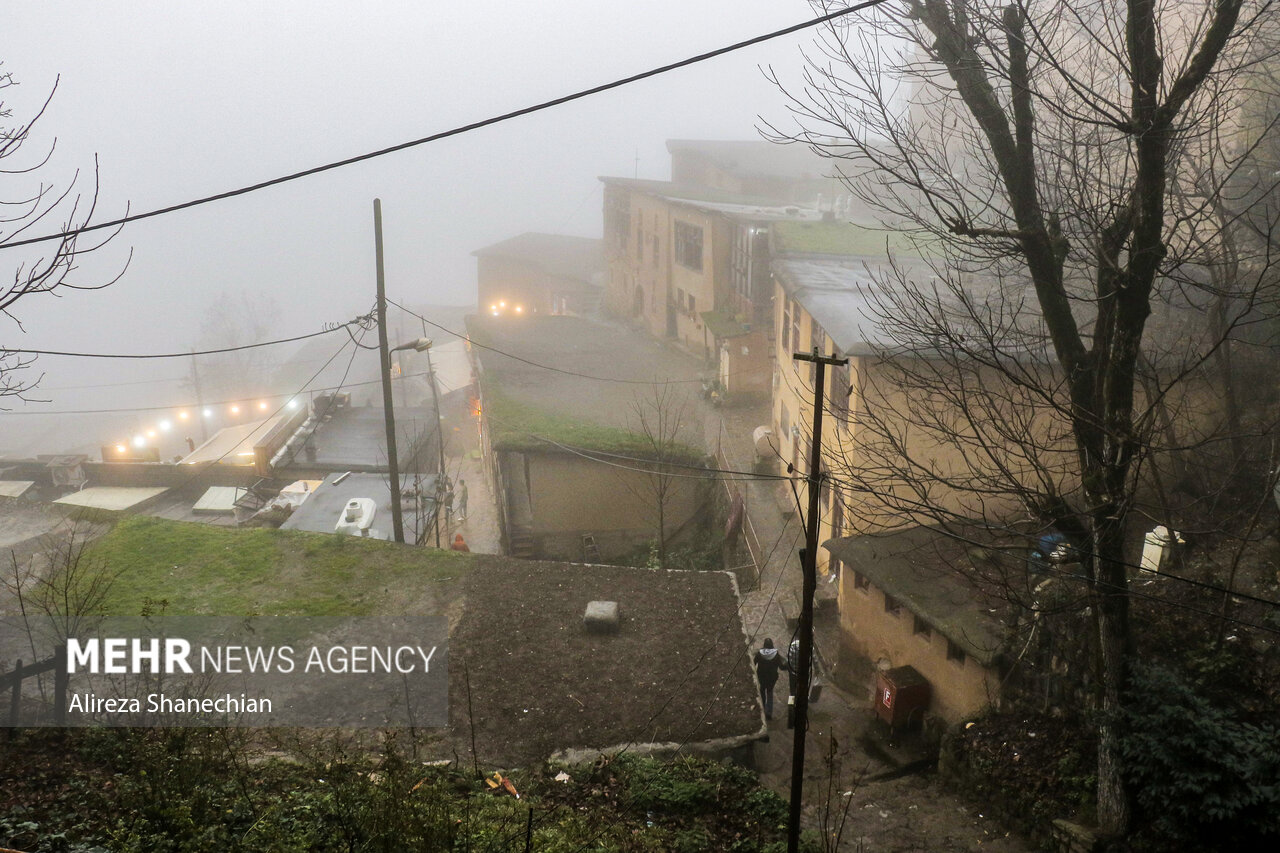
[961,690]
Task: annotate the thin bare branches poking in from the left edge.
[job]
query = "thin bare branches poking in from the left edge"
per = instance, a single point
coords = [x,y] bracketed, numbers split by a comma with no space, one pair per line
[29,204]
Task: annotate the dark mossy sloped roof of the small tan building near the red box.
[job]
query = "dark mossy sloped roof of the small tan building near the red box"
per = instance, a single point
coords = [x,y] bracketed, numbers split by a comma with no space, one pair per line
[924,569]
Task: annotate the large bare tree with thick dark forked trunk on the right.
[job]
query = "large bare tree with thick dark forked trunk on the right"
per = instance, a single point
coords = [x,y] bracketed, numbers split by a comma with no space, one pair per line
[1034,147]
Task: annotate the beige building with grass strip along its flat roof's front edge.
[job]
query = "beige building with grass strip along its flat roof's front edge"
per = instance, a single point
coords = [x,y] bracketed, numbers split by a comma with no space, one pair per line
[569,457]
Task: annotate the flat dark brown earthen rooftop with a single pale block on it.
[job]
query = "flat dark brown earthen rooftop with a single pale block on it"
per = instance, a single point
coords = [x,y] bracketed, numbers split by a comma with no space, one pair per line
[678,672]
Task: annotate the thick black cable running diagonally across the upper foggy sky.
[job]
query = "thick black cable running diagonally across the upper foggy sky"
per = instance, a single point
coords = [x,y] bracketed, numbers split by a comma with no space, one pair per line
[456,131]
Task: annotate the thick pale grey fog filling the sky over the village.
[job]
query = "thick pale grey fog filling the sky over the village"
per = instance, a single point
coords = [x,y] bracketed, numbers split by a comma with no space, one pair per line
[180,102]
